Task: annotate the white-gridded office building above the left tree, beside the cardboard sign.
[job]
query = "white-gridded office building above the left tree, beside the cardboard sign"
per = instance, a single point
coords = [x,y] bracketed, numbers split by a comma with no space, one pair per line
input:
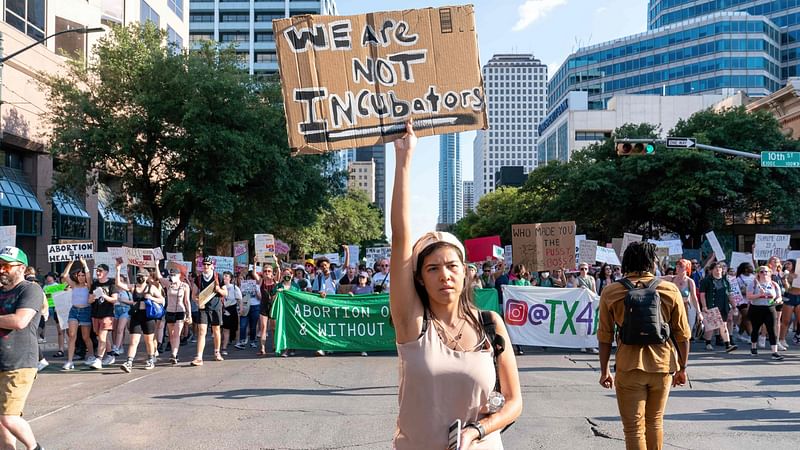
[248,26]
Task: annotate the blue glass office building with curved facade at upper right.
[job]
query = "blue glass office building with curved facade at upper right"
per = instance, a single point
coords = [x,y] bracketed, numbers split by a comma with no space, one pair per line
[690,47]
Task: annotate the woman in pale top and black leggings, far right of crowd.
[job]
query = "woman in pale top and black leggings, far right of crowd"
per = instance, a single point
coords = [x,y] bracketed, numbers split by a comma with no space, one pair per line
[763,296]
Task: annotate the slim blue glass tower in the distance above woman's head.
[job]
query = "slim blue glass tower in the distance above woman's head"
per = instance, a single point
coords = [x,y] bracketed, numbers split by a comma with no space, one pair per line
[451,198]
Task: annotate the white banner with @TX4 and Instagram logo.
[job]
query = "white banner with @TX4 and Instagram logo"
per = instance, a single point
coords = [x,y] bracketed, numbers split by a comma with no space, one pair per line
[551,317]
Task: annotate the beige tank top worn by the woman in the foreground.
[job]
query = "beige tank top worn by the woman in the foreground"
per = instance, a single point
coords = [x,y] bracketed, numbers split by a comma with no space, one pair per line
[437,386]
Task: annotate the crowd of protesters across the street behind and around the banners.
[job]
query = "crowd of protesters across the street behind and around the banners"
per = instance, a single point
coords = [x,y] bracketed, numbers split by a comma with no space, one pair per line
[757,303]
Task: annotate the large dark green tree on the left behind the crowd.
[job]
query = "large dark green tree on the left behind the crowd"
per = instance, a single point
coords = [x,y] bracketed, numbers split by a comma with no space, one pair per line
[182,135]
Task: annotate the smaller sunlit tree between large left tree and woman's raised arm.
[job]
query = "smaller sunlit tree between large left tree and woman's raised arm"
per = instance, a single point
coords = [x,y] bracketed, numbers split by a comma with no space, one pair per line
[348,219]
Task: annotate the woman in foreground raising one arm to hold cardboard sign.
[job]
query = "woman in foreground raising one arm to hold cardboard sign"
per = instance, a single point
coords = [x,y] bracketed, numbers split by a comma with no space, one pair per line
[443,344]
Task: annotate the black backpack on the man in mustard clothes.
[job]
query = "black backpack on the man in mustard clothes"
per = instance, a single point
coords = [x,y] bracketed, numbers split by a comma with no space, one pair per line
[643,322]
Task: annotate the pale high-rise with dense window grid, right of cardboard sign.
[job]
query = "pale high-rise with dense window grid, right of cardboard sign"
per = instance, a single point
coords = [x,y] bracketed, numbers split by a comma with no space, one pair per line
[516,95]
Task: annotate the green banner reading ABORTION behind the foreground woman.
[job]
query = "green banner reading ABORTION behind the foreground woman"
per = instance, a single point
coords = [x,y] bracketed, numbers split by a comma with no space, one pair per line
[342,323]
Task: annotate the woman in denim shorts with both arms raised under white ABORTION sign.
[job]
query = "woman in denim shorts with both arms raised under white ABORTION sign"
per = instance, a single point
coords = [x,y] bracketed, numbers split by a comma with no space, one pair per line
[80,315]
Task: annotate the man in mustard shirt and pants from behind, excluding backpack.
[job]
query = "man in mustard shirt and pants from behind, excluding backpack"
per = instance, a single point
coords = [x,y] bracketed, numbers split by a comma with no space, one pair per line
[644,373]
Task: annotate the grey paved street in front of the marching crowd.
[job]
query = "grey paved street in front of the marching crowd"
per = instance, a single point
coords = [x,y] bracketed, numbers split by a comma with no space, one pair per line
[348,401]
